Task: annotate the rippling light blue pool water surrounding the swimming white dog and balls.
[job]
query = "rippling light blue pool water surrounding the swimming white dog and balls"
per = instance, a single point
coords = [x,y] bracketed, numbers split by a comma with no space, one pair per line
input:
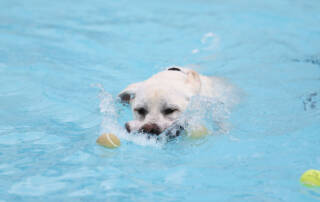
[62,64]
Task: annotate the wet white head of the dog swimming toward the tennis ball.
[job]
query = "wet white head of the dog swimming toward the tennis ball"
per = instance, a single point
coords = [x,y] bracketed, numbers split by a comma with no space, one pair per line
[158,102]
